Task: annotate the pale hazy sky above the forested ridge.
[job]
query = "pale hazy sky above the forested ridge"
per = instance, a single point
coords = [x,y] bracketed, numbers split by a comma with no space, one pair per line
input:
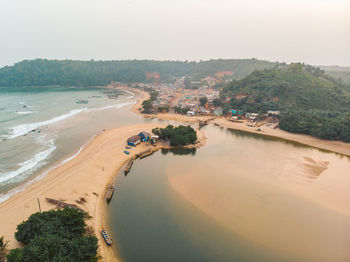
[310,31]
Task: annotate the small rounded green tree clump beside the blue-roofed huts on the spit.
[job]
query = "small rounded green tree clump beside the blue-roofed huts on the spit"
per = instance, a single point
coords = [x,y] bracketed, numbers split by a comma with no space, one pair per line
[178,136]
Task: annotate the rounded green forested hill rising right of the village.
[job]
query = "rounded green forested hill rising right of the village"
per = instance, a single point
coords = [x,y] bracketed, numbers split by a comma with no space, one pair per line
[310,101]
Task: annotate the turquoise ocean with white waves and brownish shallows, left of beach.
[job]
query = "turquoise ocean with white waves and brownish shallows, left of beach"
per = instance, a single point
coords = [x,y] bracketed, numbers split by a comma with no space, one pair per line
[40,126]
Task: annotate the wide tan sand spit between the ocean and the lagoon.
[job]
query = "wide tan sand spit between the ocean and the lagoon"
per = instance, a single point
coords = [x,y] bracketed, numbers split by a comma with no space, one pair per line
[87,176]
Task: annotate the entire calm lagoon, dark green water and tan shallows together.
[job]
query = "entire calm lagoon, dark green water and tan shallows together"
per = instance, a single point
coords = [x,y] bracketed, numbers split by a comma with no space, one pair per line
[242,197]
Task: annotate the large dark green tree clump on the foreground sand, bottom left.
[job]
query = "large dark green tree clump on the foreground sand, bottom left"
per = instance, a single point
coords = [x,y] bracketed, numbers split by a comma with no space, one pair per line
[56,235]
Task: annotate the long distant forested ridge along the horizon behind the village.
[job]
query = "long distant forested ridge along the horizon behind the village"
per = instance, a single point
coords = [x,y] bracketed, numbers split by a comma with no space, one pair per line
[41,72]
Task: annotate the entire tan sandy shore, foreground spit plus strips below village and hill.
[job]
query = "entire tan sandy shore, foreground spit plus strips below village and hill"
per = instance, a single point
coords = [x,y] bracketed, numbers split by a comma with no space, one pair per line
[89,173]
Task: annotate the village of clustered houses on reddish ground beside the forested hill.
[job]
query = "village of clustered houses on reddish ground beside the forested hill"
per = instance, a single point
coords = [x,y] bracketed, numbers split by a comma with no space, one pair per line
[201,99]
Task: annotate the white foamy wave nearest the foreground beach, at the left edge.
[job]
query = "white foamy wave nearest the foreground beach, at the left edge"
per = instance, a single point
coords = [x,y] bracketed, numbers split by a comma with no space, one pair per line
[31,164]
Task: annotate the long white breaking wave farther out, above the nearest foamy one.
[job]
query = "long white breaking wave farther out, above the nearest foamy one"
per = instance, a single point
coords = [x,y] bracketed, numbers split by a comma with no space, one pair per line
[26,128]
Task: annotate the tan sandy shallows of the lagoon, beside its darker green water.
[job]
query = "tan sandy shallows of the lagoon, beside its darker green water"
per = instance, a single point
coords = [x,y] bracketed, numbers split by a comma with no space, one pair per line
[290,199]
